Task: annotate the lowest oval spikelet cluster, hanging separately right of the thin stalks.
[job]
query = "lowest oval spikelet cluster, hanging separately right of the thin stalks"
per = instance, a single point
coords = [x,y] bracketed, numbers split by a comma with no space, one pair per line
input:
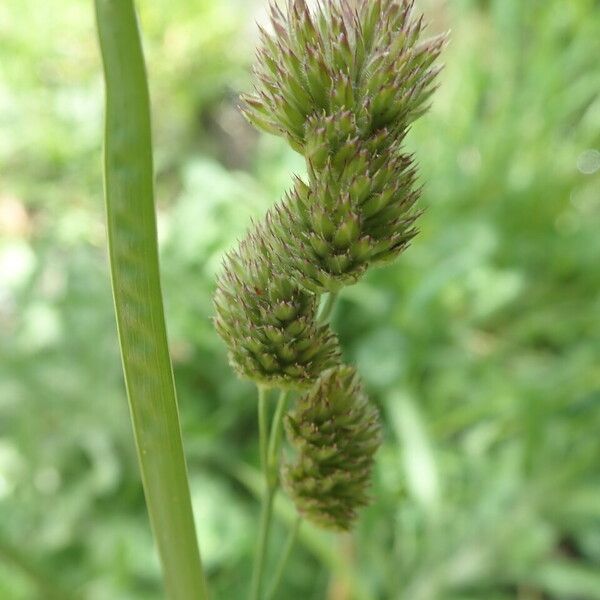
[335,432]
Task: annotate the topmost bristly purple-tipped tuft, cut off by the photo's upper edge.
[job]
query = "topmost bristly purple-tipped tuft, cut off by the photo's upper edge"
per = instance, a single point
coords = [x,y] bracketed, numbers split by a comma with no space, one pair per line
[367,60]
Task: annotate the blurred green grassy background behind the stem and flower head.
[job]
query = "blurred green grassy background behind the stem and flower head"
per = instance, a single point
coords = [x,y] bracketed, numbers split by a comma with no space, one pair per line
[481,345]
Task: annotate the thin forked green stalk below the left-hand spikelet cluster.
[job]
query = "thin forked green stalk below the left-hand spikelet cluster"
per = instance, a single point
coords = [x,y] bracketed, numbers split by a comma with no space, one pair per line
[270,468]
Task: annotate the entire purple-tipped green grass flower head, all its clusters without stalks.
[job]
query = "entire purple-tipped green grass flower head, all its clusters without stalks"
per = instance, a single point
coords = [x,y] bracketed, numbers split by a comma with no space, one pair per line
[342,84]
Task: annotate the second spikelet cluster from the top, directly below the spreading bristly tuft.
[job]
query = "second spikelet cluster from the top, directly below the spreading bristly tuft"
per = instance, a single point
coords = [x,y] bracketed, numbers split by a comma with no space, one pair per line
[358,208]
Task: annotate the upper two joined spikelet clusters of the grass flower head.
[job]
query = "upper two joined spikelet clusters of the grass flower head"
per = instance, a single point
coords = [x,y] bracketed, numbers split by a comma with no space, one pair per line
[343,86]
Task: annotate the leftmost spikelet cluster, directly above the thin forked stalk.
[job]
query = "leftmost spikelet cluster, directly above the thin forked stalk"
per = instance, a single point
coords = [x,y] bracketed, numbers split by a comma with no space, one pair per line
[268,323]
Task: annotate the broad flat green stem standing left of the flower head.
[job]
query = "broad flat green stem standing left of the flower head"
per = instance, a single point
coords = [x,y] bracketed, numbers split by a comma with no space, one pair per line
[128,173]
